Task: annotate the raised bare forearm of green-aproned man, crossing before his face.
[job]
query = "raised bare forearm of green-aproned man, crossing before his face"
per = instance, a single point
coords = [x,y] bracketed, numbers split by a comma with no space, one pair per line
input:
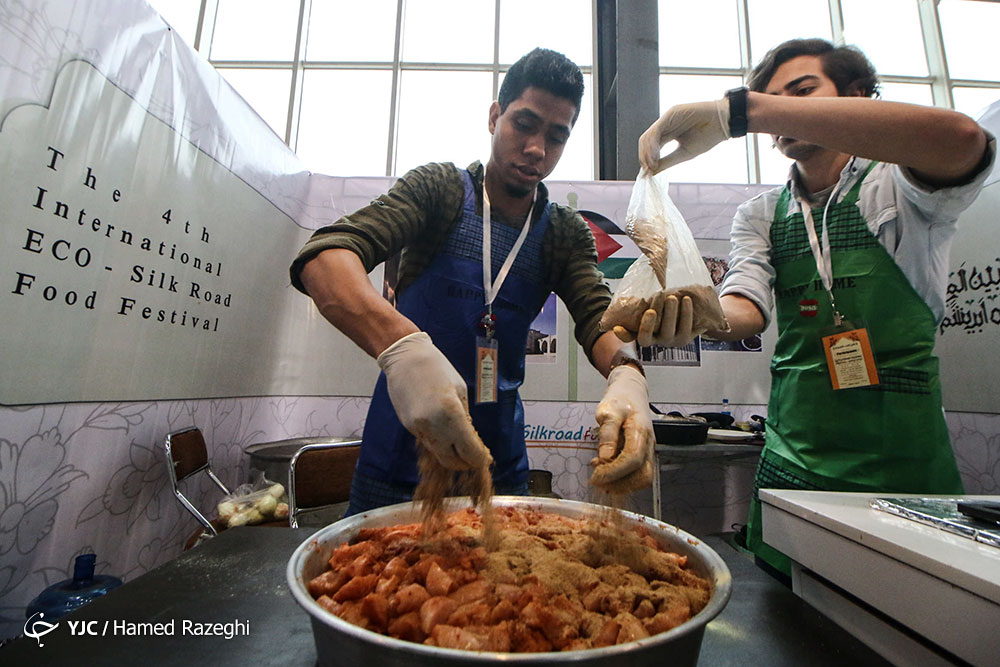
[943,146]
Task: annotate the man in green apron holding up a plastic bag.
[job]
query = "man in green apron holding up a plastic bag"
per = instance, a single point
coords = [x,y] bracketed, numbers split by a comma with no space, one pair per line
[852,253]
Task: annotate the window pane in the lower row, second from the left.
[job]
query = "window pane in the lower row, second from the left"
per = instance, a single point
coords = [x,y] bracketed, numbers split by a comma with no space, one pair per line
[345,139]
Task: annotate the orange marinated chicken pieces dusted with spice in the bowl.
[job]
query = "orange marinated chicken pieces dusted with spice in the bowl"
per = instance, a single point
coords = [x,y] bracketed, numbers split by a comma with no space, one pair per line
[554,583]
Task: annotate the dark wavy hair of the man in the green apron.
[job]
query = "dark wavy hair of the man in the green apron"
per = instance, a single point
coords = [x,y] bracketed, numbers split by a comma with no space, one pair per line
[848,68]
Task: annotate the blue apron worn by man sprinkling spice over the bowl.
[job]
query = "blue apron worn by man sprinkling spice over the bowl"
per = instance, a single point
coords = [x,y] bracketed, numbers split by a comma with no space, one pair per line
[447,301]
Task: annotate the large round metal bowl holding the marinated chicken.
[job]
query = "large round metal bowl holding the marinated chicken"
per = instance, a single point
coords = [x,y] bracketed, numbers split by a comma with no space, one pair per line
[341,643]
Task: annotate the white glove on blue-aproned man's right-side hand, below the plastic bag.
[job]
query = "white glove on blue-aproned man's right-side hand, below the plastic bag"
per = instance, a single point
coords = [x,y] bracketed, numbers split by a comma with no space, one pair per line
[624,460]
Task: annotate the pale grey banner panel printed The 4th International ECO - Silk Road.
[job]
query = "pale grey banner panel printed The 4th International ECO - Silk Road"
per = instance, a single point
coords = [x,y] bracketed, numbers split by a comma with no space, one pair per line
[136,266]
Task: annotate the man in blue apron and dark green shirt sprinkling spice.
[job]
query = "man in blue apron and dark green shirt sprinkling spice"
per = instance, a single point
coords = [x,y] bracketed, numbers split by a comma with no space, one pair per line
[480,250]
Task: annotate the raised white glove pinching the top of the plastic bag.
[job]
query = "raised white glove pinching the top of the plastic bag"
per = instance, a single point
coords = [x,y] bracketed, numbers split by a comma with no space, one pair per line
[695,127]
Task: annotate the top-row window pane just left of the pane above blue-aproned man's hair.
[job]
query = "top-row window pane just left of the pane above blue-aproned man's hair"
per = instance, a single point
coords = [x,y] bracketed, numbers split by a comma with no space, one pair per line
[448,31]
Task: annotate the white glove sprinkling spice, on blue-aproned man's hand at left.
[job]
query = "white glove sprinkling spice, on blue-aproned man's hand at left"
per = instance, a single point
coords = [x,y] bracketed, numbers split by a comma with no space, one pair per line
[431,401]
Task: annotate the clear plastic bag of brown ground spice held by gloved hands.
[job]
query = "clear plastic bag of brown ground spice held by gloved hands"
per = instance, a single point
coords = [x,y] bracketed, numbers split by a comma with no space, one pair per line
[671,263]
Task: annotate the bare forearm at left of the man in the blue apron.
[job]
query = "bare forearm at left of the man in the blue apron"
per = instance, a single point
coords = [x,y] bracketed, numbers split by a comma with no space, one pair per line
[338,284]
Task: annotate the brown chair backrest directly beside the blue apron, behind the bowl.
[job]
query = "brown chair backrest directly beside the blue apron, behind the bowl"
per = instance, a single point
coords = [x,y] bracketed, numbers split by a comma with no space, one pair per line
[319,475]
